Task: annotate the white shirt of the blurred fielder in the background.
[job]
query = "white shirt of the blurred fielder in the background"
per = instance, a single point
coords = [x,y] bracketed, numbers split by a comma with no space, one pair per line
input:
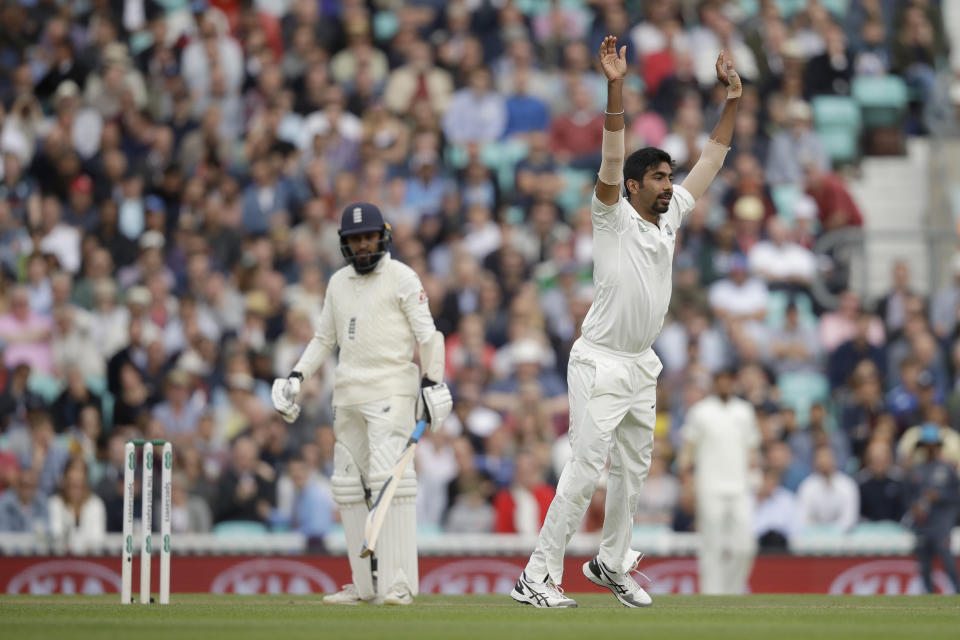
[722,435]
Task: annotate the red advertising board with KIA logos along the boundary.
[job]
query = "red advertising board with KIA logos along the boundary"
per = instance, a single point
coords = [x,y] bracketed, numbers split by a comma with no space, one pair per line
[859,575]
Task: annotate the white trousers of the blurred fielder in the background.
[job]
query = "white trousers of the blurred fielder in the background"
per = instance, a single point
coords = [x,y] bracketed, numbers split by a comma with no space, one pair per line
[727,544]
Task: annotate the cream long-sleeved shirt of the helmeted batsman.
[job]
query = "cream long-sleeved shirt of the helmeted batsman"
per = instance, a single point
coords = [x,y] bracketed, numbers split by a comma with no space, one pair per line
[376,319]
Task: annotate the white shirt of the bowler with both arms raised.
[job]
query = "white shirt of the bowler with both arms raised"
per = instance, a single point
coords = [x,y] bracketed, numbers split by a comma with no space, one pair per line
[632,273]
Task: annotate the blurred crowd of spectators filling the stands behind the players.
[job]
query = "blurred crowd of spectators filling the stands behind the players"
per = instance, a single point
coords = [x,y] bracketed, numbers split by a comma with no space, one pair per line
[172,181]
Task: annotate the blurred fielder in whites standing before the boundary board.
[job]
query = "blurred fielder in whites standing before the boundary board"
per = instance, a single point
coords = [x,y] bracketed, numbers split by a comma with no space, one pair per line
[720,441]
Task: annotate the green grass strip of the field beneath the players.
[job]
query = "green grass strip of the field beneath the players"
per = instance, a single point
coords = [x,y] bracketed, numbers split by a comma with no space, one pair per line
[599,617]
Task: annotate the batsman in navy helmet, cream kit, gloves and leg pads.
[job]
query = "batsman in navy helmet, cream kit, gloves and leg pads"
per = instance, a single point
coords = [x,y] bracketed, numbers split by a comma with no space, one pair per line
[376,311]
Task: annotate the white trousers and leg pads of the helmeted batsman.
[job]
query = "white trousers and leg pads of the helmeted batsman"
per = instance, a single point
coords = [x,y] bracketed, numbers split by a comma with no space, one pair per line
[369,440]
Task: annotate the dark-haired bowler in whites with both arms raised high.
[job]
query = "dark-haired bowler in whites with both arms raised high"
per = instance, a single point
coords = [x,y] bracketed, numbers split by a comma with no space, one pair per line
[612,374]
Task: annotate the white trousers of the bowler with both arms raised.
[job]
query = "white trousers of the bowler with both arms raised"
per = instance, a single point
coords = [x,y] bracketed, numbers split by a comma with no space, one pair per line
[613,400]
